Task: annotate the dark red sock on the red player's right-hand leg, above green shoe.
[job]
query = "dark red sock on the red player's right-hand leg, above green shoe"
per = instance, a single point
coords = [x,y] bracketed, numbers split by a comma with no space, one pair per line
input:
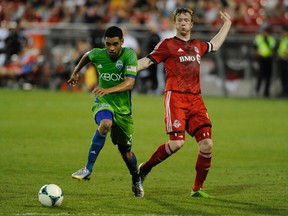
[203,164]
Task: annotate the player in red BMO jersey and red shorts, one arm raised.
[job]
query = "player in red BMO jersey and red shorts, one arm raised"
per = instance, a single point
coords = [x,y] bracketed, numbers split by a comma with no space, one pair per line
[184,109]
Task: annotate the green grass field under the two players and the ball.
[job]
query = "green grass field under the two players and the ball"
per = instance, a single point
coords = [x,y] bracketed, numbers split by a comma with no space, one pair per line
[44,137]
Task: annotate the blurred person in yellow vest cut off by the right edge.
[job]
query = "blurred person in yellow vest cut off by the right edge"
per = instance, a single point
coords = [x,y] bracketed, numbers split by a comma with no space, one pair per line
[283,61]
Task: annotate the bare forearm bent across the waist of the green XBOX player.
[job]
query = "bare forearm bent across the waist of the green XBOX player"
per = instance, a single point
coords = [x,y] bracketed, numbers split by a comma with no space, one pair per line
[127,85]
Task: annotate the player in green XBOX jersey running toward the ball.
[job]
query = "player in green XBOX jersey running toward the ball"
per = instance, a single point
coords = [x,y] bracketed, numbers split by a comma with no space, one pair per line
[116,69]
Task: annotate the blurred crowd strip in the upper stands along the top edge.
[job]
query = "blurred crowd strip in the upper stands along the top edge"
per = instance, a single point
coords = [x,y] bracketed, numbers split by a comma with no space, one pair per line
[248,13]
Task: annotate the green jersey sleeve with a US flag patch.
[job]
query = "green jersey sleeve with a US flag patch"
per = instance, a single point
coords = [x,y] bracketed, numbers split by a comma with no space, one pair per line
[131,63]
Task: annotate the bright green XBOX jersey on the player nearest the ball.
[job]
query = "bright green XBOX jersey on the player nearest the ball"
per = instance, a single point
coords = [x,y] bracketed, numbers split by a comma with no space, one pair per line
[113,72]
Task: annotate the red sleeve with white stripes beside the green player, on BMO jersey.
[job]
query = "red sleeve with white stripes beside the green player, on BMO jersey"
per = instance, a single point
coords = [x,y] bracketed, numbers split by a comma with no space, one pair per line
[160,52]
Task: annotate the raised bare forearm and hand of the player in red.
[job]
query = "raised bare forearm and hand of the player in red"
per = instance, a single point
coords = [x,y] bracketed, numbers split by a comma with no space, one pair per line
[220,37]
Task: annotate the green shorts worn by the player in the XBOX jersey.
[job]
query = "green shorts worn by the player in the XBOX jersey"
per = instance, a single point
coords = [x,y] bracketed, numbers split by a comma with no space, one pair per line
[122,129]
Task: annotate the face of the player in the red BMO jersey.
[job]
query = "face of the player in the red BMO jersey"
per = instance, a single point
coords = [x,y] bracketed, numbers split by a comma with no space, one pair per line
[183,23]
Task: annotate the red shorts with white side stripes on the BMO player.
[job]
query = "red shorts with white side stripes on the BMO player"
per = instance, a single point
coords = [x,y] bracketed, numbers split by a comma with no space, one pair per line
[184,112]
